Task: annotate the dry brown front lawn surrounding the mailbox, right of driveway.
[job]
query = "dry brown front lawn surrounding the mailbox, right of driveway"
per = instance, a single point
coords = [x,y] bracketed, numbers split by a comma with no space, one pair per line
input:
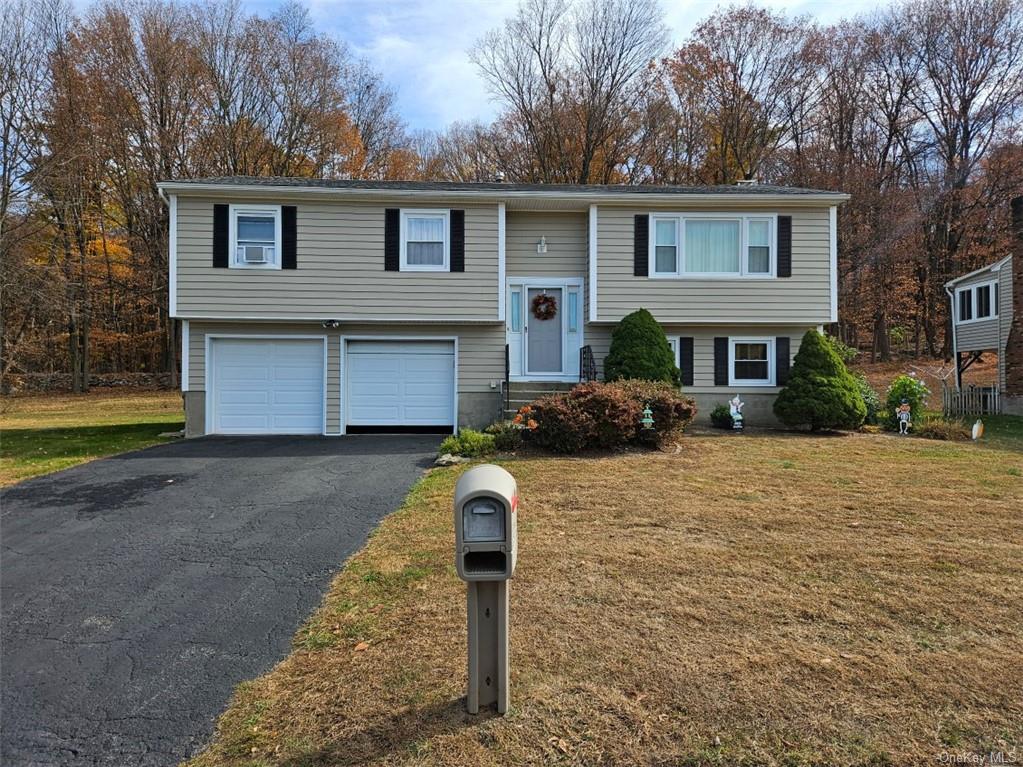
[778,601]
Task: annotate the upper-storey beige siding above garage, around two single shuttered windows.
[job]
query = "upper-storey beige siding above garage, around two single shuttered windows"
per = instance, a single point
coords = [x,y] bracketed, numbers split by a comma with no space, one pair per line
[340,270]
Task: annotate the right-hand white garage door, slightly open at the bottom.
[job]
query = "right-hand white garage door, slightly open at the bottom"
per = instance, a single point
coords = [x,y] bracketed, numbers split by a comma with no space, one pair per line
[401,384]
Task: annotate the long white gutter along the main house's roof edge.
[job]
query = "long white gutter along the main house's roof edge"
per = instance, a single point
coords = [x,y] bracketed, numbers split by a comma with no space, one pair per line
[498,196]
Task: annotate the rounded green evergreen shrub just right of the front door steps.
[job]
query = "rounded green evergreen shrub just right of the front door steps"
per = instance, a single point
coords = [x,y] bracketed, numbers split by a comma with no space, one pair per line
[640,350]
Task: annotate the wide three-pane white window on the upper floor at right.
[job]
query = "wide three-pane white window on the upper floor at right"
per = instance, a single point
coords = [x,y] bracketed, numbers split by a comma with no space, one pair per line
[713,246]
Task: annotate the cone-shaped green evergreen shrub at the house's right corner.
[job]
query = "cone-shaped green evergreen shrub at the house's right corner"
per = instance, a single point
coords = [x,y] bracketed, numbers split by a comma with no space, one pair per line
[821,393]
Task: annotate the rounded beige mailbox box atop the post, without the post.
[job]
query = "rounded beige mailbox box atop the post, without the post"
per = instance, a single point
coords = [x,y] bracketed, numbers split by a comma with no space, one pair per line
[486,539]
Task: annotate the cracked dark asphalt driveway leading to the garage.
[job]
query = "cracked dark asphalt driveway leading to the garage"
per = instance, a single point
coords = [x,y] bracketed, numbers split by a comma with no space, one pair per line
[139,591]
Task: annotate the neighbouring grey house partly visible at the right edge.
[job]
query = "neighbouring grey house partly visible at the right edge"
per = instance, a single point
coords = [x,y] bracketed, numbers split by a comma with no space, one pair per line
[987,308]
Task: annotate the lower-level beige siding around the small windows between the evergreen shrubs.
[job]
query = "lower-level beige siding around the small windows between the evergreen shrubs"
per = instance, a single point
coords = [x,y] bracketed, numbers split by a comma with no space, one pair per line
[599,338]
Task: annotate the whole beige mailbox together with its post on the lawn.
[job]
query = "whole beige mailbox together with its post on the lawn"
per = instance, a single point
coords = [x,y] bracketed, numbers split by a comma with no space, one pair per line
[486,547]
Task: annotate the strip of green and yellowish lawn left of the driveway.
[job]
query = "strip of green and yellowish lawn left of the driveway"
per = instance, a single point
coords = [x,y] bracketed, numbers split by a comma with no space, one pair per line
[49,433]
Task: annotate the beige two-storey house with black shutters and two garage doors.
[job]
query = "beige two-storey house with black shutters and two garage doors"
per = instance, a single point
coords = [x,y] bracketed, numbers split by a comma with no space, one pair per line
[336,307]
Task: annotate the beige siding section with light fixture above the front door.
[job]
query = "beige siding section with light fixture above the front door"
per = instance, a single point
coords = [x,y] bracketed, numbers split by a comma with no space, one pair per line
[566,235]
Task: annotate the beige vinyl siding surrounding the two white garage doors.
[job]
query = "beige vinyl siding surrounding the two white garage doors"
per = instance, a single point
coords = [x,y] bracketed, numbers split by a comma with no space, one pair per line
[481,352]
